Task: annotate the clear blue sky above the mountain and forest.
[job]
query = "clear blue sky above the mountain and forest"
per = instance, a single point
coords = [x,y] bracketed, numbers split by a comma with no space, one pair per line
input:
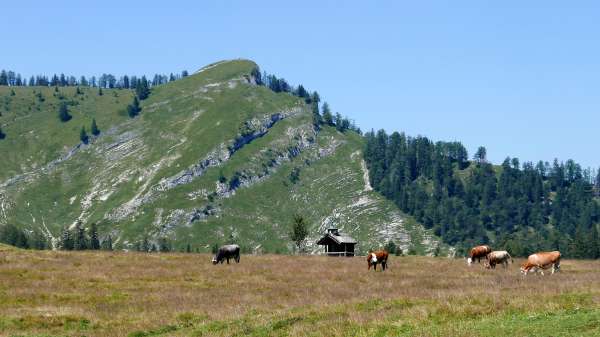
[520,77]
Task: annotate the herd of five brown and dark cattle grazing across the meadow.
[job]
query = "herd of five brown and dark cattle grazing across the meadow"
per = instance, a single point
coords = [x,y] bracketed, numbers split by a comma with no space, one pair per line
[535,262]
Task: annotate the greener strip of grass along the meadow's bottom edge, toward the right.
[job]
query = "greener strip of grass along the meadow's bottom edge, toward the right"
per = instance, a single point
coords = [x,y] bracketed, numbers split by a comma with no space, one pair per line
[394,318]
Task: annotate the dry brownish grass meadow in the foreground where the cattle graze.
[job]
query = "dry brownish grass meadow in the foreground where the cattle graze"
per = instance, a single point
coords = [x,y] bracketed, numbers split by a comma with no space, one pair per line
[130,294]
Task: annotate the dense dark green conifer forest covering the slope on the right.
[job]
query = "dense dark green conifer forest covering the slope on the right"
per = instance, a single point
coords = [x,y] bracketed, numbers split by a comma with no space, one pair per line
[516,206]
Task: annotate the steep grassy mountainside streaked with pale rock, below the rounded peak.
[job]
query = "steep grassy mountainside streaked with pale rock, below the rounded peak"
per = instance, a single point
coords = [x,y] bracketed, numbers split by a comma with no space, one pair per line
[212,156]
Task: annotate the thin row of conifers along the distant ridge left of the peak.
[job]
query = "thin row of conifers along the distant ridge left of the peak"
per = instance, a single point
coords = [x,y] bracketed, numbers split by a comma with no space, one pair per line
[106,81]
